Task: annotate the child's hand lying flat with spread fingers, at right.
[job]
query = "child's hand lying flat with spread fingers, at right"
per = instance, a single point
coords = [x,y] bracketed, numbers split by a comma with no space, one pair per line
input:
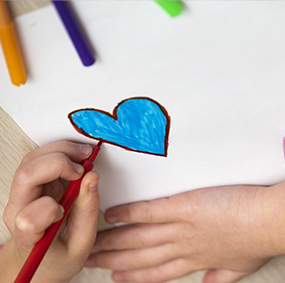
[232,231]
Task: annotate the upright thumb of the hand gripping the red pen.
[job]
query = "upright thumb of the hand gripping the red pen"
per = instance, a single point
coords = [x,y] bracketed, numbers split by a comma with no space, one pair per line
[81,227]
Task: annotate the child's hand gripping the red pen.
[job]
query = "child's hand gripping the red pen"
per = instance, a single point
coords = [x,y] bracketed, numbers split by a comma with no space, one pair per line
[33,207]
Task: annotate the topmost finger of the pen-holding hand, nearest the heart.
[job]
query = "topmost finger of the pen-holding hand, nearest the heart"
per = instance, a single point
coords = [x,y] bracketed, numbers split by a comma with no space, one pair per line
[76,152]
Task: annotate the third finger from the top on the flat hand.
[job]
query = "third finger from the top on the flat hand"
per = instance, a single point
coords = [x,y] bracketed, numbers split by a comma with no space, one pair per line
[124,259]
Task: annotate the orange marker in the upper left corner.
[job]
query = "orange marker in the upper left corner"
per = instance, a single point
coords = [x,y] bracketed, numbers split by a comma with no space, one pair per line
[10,46]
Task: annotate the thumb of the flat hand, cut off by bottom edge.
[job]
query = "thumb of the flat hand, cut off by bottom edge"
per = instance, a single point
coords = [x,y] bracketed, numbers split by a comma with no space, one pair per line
[223,276]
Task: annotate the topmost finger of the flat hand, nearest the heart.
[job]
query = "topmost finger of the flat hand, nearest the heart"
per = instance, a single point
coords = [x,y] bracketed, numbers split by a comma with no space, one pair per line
[156,211]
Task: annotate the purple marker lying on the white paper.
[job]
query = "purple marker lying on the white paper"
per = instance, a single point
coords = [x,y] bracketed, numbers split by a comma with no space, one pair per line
[75,32]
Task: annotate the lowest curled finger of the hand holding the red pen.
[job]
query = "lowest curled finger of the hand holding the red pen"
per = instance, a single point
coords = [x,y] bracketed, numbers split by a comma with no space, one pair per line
[32,221]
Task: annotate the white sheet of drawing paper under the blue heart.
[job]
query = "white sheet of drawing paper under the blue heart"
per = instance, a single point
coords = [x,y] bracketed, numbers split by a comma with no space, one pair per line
[218,69]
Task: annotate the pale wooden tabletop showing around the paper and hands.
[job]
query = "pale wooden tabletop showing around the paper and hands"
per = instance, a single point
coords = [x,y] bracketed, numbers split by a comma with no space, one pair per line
[14,144]
